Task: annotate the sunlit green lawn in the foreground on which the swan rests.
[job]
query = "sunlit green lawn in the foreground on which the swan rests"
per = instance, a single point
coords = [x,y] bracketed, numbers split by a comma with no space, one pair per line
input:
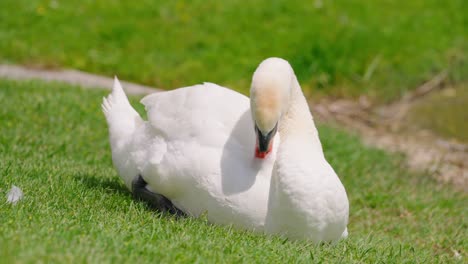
[54,146]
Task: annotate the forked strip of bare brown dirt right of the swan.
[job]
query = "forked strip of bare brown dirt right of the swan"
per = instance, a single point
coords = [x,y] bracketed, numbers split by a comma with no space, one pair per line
[385,126]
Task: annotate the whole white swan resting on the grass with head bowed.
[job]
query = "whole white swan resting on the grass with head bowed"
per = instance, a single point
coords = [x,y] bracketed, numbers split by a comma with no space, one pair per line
[202,151]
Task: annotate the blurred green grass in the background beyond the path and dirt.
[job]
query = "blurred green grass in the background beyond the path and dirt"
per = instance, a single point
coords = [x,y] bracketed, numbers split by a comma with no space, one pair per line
[379,48]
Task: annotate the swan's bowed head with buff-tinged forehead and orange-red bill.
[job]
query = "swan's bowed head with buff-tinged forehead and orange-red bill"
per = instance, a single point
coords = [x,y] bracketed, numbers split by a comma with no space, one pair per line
[269,100]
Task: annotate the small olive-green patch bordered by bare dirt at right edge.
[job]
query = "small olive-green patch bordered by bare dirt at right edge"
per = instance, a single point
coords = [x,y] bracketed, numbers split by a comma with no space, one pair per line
[444,112]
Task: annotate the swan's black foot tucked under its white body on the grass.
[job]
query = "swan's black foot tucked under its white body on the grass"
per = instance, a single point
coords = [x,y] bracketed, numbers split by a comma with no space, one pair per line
[154,200]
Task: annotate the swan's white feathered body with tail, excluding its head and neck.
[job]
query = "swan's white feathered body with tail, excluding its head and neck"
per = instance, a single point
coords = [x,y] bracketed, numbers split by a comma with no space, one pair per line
[197,150]
